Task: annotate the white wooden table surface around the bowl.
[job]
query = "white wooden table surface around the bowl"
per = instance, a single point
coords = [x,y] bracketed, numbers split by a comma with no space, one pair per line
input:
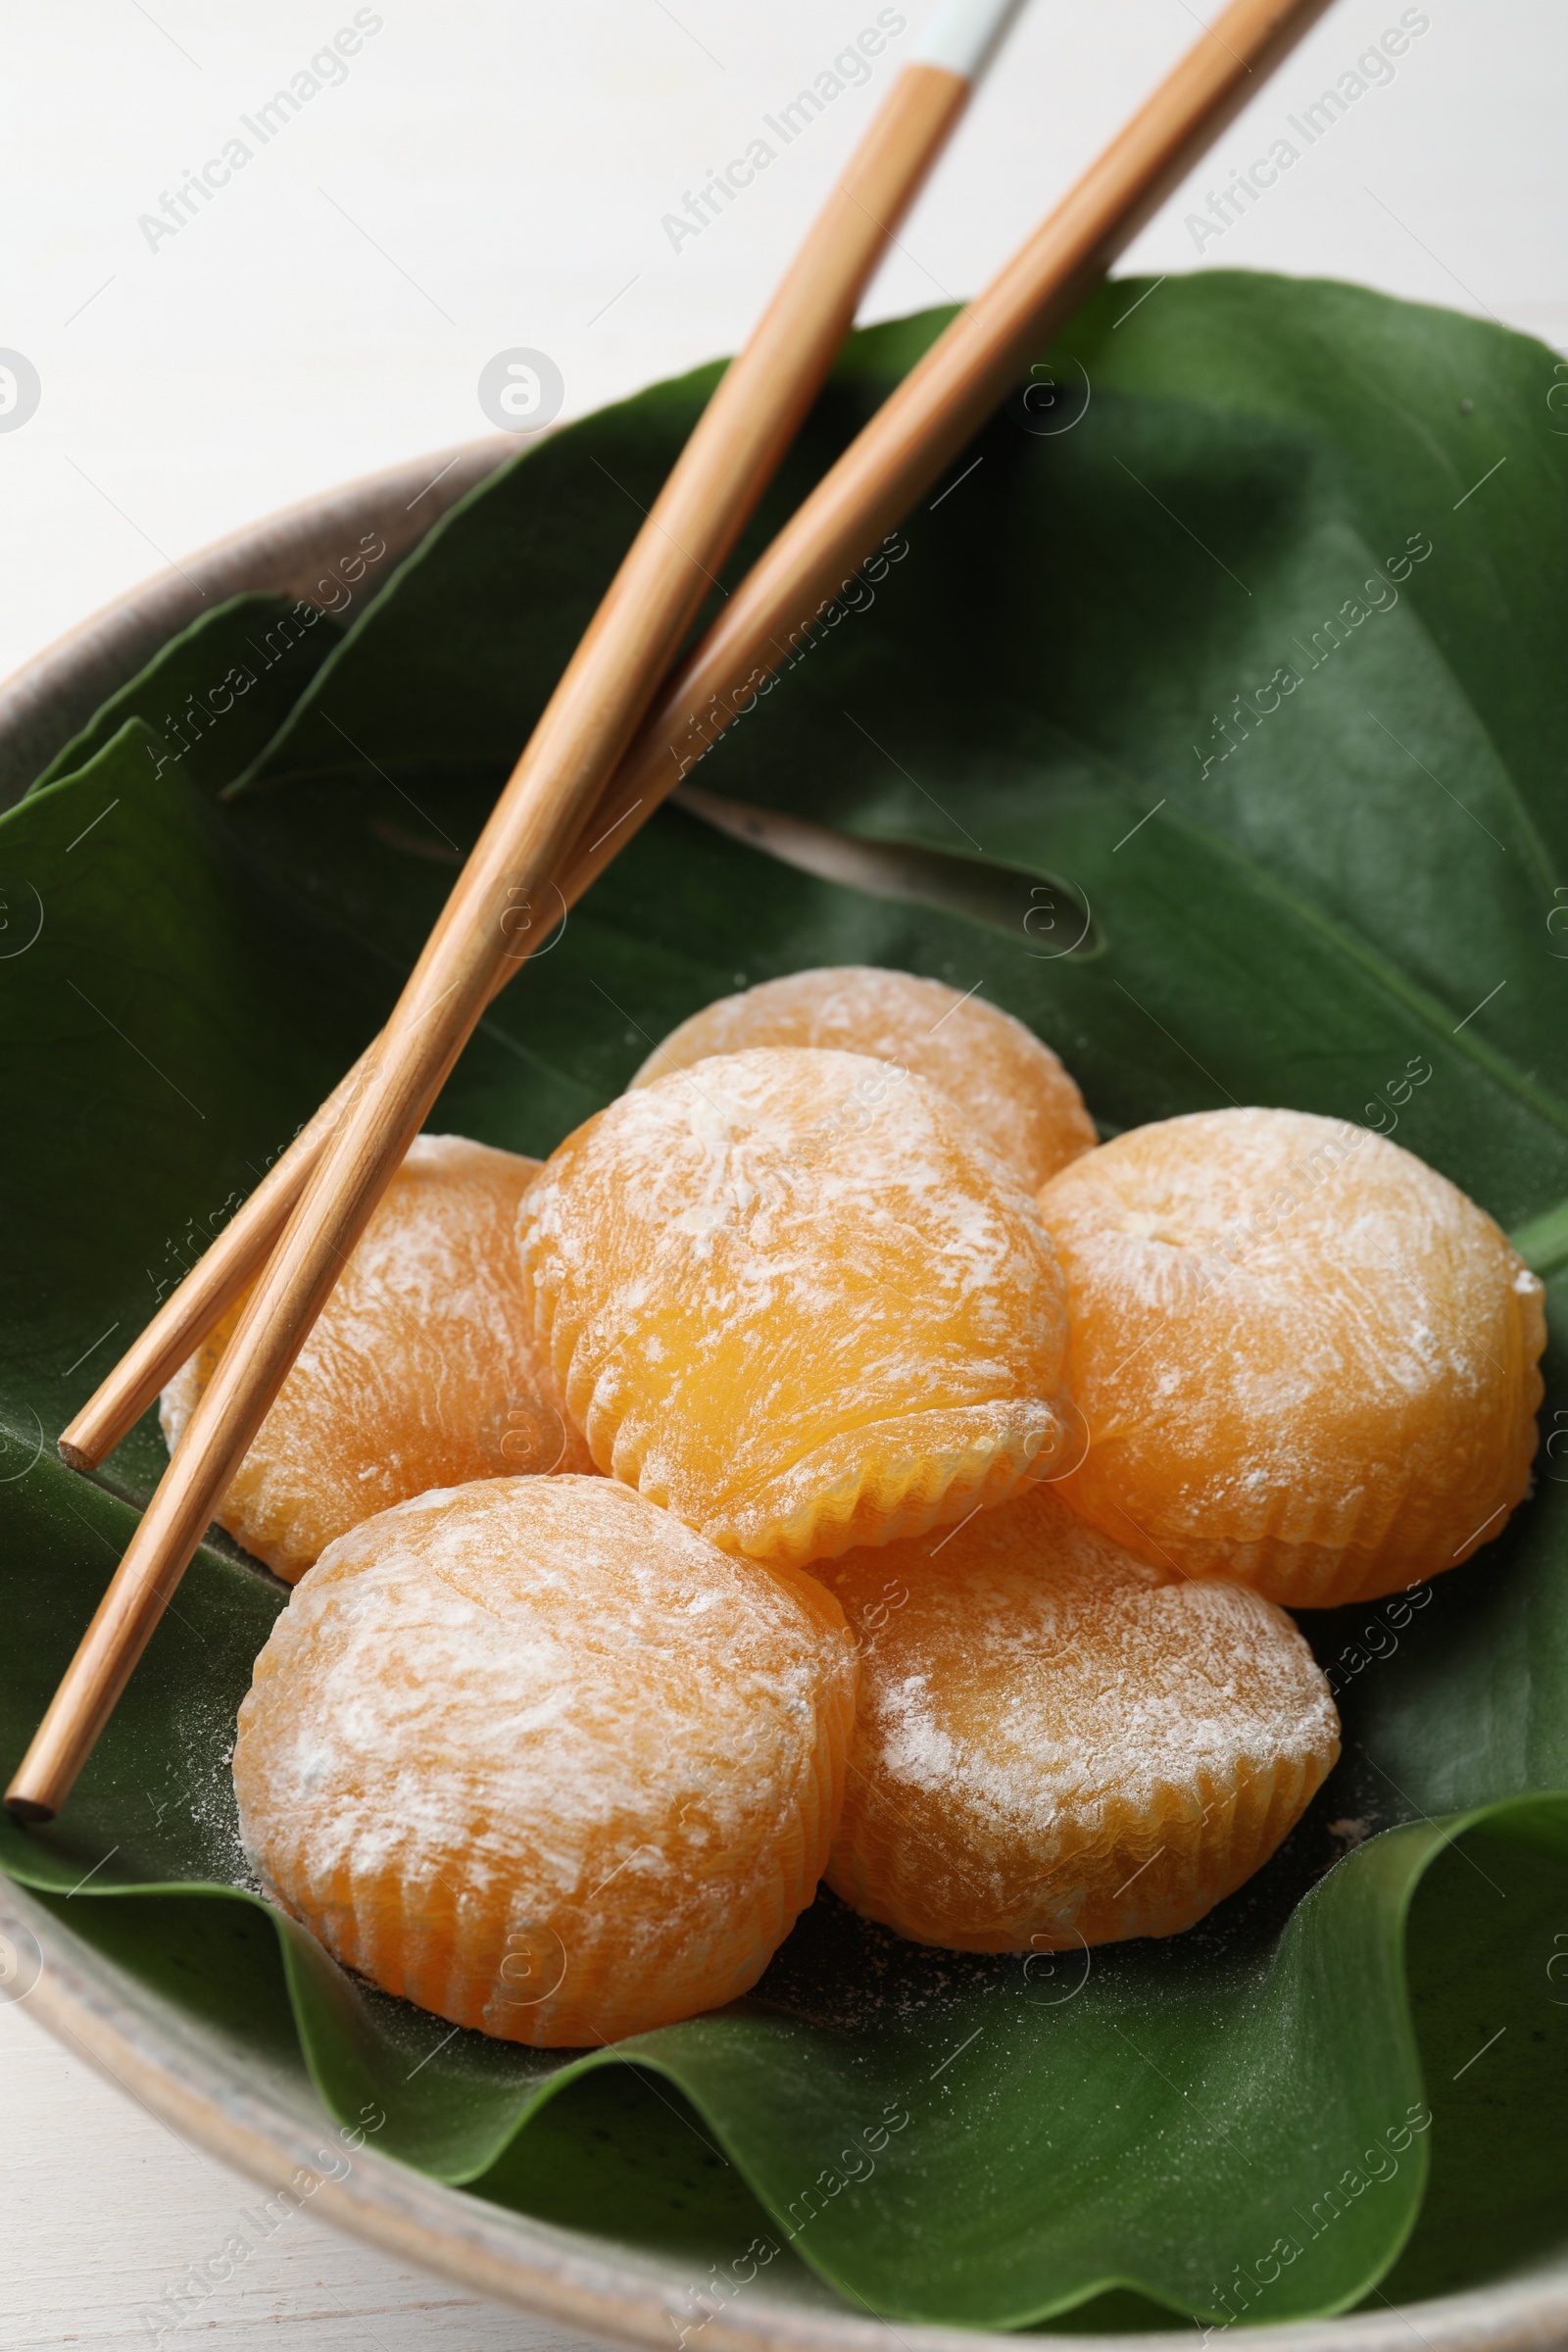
[497,175]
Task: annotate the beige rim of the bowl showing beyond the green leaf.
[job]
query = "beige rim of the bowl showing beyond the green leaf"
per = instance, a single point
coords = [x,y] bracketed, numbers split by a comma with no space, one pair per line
[100,2012]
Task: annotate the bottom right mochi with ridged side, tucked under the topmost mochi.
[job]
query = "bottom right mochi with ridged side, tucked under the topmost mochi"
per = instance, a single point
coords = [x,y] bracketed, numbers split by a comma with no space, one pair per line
[1059,1744]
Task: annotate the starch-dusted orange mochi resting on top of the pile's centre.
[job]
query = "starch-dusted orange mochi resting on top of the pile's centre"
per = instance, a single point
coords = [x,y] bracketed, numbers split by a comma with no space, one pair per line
[793,1297]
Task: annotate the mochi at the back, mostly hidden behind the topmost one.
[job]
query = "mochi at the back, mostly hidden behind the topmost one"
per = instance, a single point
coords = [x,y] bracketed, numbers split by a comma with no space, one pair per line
[1010,1083]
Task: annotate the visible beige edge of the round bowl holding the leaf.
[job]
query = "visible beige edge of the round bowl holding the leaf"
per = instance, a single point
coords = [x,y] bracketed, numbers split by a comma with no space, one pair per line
[260,2109]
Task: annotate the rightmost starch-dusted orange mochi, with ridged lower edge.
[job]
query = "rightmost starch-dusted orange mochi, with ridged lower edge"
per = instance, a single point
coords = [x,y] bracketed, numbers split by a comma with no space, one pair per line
[1306,1358]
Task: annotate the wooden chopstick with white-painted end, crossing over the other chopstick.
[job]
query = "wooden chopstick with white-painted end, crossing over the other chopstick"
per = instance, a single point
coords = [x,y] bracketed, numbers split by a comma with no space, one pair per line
[333,1184]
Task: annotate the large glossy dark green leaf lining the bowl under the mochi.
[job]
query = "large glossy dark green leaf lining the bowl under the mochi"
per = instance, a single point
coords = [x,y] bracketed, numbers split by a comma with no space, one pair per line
[1343,2085]
